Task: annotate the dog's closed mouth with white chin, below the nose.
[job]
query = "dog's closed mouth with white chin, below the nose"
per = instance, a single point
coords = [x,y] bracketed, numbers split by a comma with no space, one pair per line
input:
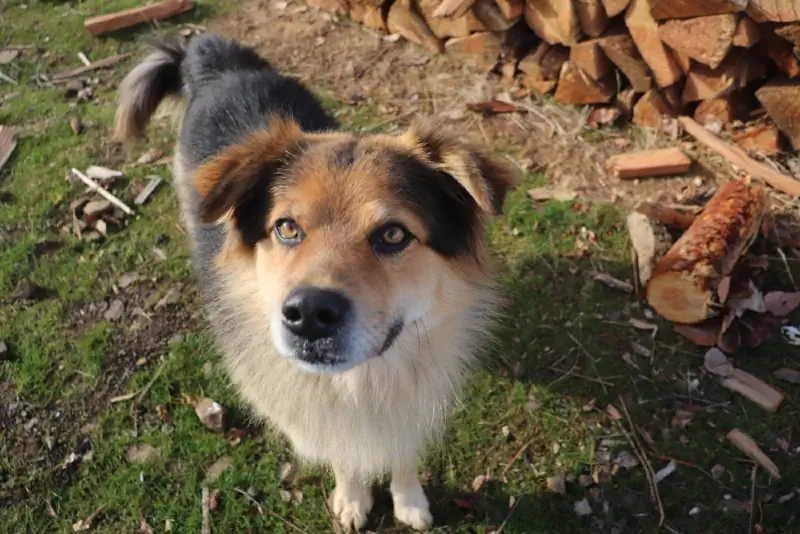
[329,355]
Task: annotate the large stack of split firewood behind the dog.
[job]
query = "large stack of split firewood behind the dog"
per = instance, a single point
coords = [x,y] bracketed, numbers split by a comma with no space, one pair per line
[725,61]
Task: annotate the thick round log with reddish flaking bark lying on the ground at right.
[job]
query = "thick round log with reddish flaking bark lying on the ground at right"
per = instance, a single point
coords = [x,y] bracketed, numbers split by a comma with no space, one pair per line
[684,283]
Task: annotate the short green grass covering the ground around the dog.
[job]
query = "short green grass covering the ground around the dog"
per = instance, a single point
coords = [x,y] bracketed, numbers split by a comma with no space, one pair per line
[67,361]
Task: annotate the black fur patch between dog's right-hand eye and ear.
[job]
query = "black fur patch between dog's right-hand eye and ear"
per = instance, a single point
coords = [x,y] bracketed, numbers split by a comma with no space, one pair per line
[445,208]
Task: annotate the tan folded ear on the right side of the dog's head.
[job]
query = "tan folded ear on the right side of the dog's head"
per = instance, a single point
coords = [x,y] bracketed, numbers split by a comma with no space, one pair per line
[487,179]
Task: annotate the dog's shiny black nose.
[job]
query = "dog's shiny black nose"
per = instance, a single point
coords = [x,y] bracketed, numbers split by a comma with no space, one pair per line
[314,313]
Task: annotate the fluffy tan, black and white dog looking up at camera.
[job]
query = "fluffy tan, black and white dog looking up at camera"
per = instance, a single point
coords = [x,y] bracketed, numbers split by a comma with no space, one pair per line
[347,280]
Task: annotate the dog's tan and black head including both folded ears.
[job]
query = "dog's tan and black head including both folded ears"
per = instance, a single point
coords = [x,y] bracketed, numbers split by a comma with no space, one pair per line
[354,242]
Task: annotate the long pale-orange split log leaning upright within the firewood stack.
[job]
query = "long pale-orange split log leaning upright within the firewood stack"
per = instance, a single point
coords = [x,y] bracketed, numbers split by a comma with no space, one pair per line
[644,31]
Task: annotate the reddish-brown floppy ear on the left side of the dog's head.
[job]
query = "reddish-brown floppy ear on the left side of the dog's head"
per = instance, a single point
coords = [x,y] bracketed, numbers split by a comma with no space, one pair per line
[240,173]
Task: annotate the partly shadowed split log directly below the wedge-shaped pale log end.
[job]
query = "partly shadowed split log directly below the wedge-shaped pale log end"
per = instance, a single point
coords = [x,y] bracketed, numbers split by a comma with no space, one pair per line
[739,67]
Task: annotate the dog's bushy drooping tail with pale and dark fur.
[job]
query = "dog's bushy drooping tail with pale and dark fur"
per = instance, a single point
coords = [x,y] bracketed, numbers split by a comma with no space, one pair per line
[157,77]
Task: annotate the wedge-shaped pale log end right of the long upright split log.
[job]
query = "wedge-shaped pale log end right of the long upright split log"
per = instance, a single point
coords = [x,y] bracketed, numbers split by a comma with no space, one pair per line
[704,39]
